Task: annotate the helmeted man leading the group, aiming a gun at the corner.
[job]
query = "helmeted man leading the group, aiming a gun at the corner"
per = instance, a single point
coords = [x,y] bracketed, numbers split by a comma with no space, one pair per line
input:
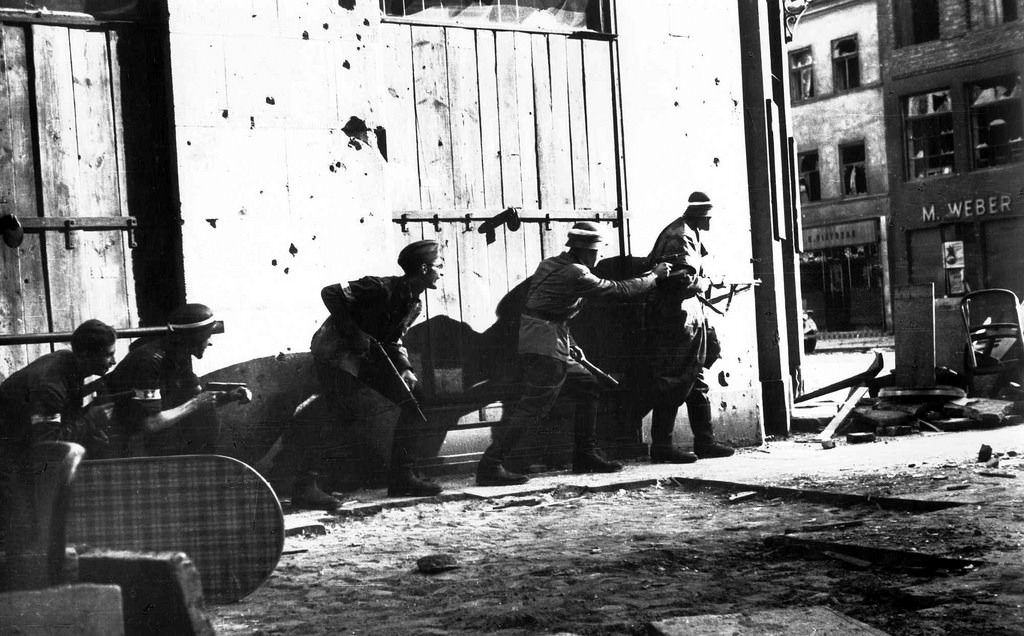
[679,346]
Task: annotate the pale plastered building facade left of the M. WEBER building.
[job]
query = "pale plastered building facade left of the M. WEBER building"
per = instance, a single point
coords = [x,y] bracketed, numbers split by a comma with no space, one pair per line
[837,97]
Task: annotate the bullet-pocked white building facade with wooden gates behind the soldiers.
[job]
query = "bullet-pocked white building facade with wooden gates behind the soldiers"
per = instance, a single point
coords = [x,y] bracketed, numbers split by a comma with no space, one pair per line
[247,154]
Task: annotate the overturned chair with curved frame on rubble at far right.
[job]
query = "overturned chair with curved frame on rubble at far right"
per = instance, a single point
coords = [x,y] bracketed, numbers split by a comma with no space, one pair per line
[994,350]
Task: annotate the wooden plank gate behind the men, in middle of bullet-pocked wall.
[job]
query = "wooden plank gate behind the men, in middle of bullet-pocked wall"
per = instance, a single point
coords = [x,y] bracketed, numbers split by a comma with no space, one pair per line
[482,120]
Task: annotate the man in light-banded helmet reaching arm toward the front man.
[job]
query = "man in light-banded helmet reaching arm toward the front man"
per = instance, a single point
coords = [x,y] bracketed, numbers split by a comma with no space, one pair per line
[554,298]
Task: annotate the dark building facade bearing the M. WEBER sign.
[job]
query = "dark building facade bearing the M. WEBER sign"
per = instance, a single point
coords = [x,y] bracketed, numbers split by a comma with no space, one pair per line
[954,124]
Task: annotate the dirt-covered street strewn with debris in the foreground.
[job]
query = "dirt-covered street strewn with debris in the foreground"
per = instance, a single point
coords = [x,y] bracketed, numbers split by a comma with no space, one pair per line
[610,563]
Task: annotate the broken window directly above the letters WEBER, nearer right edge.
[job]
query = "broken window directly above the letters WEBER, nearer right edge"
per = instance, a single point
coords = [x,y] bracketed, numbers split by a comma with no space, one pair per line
[996,121]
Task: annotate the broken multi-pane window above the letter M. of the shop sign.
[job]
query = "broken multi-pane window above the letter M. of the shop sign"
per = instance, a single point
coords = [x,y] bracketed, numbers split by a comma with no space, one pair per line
[928,135]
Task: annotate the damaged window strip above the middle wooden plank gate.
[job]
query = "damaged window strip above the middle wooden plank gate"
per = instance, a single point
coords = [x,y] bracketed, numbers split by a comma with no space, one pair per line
[559,16]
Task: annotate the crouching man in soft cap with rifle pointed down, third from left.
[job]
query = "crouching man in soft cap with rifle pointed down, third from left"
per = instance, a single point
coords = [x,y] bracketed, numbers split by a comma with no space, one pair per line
[366,314]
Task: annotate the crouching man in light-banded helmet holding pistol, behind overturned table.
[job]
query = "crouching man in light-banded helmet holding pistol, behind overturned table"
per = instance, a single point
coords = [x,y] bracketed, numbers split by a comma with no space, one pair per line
[166,404]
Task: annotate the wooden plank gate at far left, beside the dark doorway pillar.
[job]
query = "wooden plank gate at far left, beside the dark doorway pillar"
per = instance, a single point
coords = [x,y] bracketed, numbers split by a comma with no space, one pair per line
[64,175]
